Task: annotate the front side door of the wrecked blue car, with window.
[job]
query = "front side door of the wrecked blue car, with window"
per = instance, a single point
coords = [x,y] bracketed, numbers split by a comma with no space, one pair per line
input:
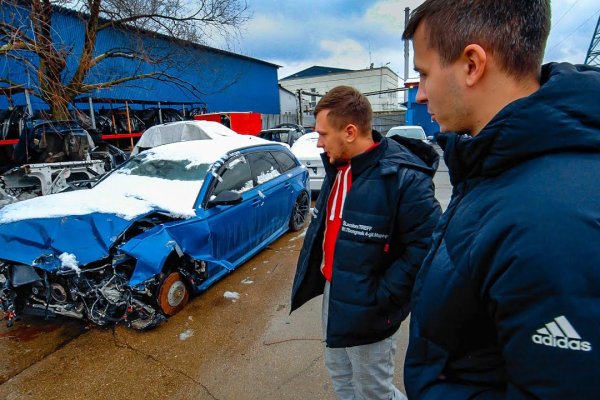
[232,227]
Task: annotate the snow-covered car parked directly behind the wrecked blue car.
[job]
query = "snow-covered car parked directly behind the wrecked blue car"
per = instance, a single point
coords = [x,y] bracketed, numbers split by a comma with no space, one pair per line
[180,131]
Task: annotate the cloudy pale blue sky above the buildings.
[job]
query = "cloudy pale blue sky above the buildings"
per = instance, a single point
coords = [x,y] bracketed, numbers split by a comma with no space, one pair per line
[354,33]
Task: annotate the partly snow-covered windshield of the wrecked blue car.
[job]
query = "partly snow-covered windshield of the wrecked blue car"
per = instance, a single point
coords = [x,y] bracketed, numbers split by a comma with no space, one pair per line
[148,165]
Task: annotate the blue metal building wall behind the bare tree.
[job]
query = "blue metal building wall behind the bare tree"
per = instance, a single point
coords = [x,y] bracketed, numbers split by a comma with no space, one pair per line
[227,81]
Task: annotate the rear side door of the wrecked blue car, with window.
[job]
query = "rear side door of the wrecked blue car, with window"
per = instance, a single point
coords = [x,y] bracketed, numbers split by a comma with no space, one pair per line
[275,191]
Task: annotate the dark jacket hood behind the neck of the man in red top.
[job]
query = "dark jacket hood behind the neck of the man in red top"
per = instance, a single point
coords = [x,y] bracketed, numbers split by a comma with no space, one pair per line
[393,153]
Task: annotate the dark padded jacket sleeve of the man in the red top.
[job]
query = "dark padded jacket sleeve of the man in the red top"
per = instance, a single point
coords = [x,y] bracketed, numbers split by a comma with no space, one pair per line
[417,214]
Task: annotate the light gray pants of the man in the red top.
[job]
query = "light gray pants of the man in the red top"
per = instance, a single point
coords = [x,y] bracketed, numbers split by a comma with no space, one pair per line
[362,372]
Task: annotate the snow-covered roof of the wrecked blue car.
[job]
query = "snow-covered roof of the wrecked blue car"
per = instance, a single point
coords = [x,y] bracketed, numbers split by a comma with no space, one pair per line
[207,151]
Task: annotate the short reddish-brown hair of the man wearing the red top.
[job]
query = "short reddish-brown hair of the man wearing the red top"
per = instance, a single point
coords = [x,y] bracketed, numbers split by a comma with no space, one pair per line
[346,105]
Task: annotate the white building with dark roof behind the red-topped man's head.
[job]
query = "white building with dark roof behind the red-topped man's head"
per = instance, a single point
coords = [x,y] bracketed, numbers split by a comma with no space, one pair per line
[371,82]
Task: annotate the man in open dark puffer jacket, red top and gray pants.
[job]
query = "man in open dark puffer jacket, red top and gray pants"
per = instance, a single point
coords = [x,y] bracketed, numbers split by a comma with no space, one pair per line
[369,234]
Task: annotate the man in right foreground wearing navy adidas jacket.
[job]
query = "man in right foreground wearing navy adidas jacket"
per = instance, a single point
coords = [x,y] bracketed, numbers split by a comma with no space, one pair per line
[507,303]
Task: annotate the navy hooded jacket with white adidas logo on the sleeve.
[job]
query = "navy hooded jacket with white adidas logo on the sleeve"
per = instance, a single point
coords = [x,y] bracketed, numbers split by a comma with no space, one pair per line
[507,303]
